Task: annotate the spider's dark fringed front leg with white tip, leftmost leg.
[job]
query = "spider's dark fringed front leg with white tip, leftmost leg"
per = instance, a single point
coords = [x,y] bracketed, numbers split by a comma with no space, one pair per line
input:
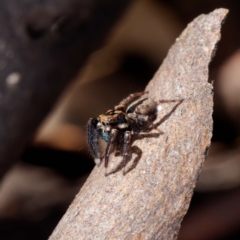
[93,138]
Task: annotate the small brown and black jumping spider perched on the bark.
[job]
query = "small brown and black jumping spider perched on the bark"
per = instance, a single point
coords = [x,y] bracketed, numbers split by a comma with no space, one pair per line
[118,126]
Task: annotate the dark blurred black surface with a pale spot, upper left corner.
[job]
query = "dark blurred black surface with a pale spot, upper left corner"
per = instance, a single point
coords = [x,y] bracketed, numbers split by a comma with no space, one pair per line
[43,44]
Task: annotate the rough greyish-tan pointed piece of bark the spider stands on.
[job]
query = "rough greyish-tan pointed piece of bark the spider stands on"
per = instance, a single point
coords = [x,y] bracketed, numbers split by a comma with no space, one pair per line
[149,202]
